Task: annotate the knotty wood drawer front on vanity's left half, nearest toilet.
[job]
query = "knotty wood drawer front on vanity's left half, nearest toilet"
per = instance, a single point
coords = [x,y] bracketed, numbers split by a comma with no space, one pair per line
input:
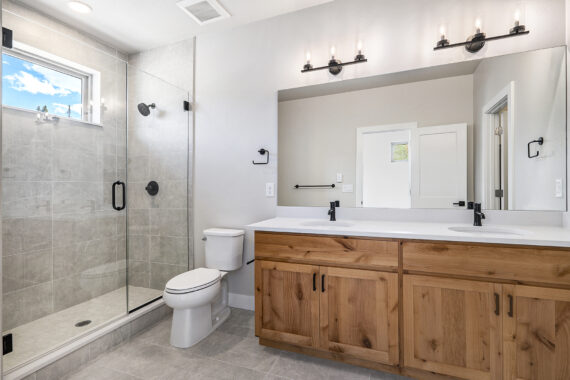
[350,252]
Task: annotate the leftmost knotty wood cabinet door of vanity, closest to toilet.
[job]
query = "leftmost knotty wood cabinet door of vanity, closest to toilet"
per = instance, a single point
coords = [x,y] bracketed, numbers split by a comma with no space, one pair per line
[287,302]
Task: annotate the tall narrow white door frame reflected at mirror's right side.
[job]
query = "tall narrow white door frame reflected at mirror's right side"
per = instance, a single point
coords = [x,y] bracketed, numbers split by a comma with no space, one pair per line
[505,97]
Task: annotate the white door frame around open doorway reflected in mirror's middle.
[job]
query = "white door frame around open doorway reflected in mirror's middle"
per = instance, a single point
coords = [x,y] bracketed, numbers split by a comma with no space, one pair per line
[360,132]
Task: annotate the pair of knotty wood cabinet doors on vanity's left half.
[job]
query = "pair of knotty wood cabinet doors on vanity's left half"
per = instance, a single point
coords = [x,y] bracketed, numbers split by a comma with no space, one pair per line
[349,311]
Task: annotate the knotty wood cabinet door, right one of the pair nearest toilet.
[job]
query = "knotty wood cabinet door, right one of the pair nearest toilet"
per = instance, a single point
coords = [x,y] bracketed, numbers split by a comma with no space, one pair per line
[359,313]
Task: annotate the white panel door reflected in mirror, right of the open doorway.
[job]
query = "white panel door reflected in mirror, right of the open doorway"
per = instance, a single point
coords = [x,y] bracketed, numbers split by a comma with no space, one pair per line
[439,166]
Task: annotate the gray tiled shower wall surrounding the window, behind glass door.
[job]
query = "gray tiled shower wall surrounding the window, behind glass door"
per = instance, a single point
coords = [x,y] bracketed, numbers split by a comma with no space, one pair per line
[62,242]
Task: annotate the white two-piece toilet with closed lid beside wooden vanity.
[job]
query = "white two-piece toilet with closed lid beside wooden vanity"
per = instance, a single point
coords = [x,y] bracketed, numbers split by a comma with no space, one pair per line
[200,297]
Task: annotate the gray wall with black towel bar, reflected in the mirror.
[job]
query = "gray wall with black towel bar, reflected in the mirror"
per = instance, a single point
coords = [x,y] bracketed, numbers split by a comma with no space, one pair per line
[317,136]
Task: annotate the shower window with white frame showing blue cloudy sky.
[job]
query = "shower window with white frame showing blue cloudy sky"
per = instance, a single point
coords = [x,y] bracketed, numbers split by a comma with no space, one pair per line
[32,83]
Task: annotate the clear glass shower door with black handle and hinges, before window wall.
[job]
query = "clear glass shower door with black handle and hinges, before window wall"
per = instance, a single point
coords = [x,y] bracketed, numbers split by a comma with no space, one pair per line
[63,148]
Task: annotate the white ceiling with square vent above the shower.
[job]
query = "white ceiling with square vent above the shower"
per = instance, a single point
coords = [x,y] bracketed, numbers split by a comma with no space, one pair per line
[137,25]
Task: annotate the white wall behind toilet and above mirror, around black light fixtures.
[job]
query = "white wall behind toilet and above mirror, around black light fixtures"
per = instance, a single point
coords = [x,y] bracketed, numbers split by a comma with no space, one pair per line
[238,74]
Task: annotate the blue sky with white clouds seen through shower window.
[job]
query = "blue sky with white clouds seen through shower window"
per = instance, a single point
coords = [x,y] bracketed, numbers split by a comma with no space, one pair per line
[28,85]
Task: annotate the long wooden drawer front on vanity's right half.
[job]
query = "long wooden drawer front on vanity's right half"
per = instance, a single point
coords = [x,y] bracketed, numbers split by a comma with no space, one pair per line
[521,264]
